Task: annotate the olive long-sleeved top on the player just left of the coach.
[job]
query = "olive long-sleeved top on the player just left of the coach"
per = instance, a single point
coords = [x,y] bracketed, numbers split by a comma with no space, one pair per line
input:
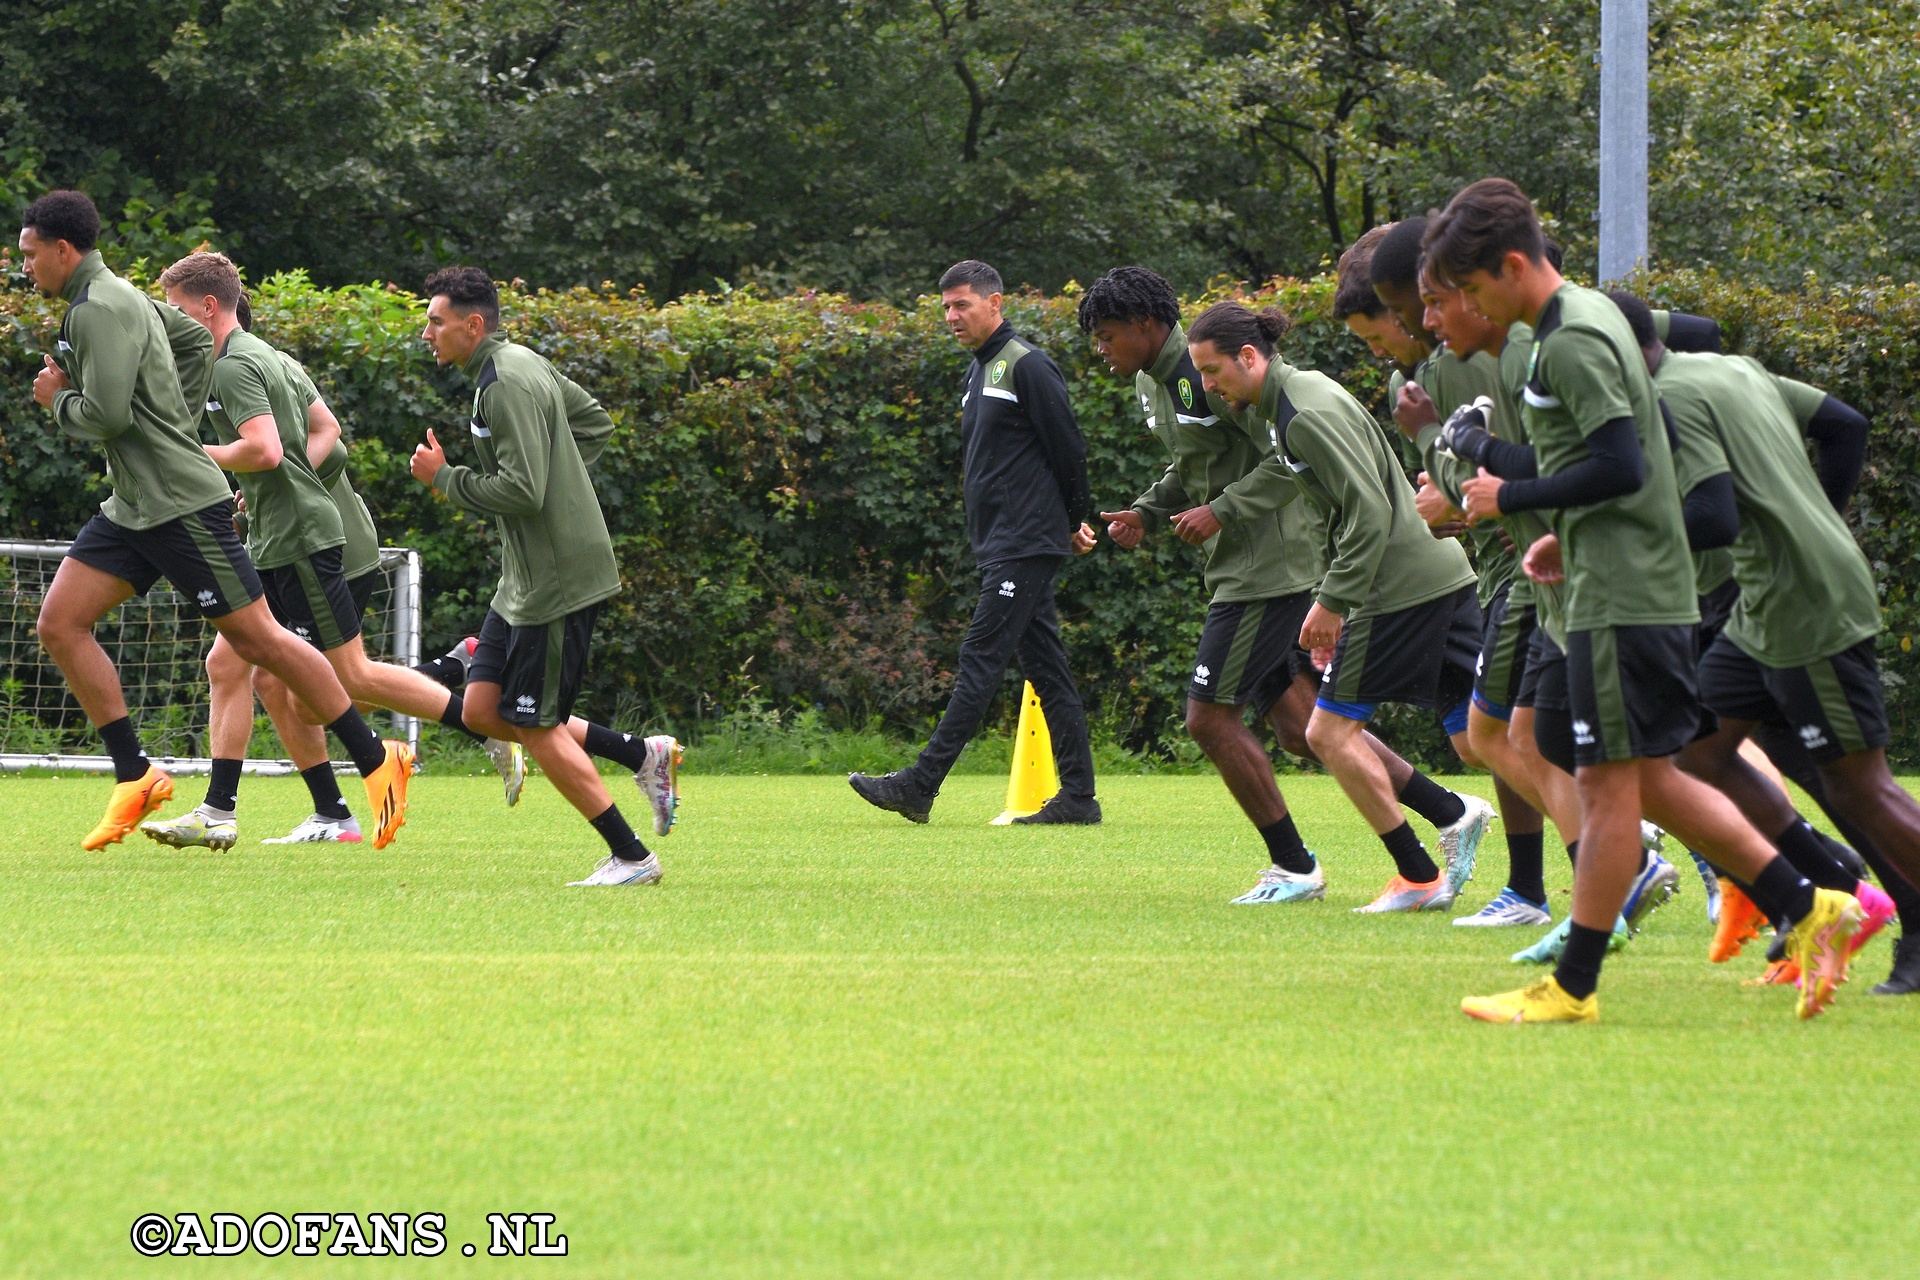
[535,437]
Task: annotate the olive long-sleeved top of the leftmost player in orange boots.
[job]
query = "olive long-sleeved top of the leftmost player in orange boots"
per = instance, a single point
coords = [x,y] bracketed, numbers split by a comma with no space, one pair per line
[126,396]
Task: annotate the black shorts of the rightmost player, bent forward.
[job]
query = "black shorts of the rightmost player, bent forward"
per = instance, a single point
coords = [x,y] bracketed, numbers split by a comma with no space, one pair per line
[1835,705]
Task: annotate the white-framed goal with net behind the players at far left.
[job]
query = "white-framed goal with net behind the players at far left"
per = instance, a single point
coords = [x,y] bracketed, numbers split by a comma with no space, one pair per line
[160,646]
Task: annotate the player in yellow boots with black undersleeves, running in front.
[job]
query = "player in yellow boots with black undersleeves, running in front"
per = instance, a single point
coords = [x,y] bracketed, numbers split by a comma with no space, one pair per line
[1602,465]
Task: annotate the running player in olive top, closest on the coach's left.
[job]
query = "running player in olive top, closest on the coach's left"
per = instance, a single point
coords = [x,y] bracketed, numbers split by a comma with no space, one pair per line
[535,435]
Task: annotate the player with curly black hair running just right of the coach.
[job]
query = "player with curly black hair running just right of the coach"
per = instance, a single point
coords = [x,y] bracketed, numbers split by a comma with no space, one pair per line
[1264,556]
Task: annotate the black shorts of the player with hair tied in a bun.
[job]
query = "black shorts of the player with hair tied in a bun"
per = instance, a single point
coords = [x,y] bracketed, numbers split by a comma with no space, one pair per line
[1422,655]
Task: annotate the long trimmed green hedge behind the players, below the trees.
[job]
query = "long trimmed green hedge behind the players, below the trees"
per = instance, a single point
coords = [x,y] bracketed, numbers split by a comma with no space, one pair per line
[784,488]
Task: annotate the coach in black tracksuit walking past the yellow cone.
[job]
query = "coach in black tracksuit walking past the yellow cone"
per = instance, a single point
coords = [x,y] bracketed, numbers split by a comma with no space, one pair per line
[1026,510]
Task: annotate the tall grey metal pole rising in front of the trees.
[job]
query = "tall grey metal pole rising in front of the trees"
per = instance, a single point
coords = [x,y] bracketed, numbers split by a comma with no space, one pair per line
[1623,137]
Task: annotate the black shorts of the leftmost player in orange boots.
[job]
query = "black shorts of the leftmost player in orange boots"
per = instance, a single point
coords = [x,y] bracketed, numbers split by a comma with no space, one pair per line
[201,556]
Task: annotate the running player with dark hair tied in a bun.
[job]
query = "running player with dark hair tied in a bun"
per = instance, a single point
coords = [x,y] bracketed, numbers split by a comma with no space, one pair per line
[1395,617]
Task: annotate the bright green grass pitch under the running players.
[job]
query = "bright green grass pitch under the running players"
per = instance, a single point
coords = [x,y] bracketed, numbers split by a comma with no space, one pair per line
[834,1045]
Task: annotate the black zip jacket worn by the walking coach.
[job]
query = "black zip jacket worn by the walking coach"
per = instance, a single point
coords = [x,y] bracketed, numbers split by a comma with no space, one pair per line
[1026,462]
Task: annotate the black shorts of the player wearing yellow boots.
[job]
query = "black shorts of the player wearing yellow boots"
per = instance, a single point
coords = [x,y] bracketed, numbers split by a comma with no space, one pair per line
[1633,692]
